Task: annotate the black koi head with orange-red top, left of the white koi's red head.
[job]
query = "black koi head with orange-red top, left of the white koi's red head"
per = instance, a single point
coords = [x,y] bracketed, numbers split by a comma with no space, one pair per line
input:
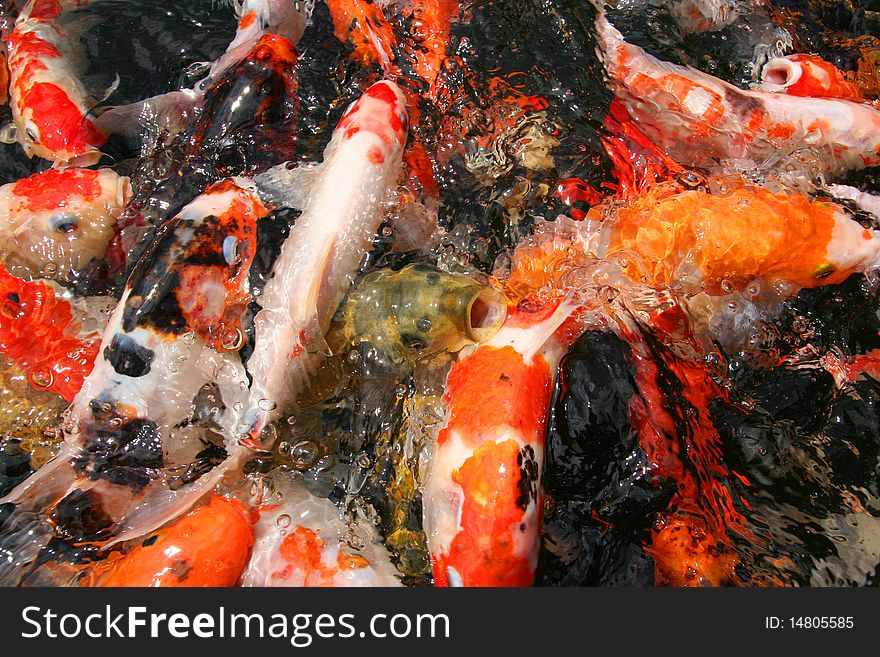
[257,94]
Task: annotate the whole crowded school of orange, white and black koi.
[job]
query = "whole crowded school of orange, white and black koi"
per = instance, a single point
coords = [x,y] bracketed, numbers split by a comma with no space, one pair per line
[277,363]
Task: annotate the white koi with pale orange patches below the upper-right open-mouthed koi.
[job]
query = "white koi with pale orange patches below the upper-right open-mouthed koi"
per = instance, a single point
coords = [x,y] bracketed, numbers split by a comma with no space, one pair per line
[701,120]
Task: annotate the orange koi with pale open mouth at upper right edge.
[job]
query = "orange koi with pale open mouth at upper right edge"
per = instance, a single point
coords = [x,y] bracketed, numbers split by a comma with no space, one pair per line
[807,75]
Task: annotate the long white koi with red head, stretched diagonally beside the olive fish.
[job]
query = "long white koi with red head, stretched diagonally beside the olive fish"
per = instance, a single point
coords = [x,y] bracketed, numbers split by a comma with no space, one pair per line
[319,259]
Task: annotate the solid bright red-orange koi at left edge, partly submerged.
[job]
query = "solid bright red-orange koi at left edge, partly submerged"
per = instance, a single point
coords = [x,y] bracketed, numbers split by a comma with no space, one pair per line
[39,332]
